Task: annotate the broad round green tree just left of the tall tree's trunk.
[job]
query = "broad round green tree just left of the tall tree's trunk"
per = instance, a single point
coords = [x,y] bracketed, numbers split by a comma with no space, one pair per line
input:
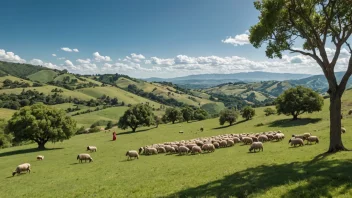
[299,100]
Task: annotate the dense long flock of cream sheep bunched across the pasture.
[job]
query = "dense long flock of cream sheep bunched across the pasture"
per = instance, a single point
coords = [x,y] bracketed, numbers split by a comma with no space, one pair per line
[210,144]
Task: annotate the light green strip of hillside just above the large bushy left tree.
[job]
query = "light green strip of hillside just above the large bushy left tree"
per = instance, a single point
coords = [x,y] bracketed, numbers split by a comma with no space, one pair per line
[47,90]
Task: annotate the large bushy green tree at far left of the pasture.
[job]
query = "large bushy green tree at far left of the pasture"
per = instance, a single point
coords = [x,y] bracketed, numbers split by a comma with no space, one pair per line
[41,123]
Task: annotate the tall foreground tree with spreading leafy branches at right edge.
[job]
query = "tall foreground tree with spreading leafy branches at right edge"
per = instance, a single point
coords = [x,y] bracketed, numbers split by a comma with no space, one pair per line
[316,24]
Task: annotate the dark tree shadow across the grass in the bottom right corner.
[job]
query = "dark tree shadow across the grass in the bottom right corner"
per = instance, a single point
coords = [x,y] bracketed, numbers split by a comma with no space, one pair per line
[320,179]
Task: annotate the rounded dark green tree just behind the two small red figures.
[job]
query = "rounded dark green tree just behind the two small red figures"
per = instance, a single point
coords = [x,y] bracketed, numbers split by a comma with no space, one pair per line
[136,116]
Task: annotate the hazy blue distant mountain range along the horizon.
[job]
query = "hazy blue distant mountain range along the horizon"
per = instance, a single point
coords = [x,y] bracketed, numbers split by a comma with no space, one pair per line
[209,80]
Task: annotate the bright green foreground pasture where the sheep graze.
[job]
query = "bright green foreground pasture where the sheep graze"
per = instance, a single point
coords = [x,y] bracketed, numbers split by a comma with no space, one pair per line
[279,171]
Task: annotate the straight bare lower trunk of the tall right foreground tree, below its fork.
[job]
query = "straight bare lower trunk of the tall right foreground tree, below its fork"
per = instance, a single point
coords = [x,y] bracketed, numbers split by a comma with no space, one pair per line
[335,124]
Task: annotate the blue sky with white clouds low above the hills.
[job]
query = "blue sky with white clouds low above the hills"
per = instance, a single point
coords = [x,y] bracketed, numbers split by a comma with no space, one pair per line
[154,38]
